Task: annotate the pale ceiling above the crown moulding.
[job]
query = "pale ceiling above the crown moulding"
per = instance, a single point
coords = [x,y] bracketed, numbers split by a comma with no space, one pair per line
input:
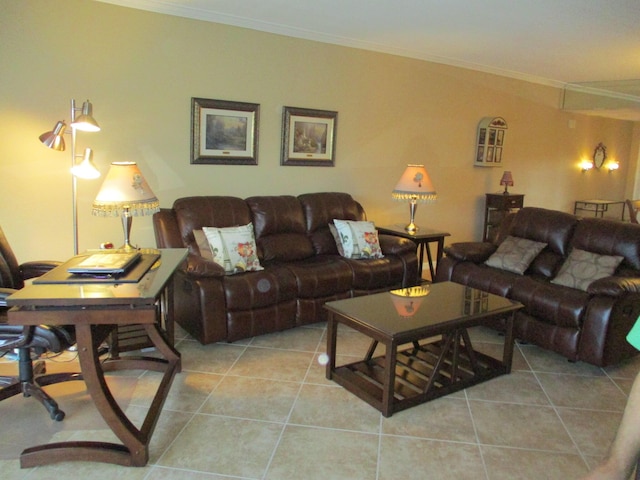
[592,46]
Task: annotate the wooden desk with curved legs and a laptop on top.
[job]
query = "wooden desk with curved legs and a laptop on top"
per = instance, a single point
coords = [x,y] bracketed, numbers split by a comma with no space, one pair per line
[95,310]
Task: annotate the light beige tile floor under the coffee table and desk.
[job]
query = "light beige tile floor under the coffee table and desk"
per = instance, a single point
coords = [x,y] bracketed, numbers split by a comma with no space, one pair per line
[263,409]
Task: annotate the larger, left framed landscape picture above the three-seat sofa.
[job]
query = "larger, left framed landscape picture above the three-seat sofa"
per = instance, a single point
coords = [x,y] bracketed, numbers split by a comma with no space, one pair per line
[223,132]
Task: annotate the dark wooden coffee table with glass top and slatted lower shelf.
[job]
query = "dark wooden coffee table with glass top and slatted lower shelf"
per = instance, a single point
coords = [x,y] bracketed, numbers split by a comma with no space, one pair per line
[428,352]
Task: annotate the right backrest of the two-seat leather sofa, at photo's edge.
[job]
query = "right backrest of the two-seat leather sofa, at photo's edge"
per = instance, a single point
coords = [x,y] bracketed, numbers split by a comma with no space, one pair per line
[609,237]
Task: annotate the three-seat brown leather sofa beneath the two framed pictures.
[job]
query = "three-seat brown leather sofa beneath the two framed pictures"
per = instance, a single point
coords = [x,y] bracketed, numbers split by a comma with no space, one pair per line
[302,267]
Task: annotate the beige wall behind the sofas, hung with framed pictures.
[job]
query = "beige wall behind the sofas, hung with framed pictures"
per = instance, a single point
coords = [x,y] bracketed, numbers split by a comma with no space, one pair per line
[141,69]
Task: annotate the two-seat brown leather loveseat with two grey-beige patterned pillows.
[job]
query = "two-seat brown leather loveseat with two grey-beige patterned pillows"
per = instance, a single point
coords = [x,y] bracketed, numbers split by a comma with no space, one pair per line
[588,326]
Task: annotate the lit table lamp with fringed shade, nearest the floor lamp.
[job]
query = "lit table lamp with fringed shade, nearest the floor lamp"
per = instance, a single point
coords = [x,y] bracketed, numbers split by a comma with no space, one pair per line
[125,192]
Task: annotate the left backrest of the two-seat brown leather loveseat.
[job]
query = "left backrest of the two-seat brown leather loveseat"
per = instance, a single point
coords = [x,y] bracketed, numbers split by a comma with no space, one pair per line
[548,226]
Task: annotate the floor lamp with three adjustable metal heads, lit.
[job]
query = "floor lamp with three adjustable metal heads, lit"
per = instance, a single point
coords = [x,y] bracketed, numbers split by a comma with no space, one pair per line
[85,169]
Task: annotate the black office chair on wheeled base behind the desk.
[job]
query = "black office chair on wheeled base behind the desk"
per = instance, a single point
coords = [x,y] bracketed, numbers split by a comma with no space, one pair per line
[29,340]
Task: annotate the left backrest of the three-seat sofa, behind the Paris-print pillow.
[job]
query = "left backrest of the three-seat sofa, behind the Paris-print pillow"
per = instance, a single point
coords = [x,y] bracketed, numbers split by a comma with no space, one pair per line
[193,213]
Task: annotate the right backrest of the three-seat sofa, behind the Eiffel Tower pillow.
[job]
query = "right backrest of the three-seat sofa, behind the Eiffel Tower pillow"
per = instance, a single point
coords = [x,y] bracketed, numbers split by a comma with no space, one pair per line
[322,208]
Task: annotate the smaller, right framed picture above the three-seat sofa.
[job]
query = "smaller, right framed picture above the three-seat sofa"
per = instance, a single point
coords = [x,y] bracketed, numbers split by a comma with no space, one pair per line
[308,137]
